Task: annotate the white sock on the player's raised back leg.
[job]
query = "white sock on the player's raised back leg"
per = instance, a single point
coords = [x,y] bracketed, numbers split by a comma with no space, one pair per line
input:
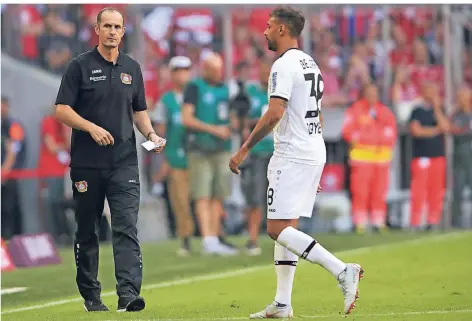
[307,248]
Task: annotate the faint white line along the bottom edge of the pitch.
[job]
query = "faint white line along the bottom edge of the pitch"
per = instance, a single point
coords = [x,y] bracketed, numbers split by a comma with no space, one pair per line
[322,316]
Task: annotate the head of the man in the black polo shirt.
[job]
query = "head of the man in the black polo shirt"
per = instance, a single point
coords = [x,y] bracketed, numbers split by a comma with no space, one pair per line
[111,29]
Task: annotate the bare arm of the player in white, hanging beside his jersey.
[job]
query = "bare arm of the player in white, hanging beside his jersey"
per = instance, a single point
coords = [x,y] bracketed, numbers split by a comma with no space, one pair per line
[264,126]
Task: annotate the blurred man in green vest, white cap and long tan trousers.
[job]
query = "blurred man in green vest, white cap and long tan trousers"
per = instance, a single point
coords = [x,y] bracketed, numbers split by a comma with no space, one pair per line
[169,124]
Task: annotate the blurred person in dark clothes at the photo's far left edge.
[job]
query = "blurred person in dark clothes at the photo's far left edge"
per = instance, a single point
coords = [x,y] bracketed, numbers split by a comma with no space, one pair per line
[13,157]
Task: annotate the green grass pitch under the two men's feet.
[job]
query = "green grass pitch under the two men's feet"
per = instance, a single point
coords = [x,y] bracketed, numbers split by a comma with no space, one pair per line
[408,277]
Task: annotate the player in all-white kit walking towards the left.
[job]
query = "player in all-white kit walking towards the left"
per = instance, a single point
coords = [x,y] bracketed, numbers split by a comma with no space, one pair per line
[294,172]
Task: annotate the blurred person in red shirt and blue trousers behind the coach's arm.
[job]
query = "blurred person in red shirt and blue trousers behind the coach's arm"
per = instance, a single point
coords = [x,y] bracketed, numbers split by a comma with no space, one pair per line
[53,163]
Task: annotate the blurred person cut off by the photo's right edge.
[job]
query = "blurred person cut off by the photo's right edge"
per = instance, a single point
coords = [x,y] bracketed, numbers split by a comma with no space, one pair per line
[462,130]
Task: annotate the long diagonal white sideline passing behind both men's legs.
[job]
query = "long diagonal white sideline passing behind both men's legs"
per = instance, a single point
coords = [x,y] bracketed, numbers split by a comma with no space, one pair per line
[222,275]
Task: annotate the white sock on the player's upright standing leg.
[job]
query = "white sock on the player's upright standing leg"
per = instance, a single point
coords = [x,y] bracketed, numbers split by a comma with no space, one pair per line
[285,266]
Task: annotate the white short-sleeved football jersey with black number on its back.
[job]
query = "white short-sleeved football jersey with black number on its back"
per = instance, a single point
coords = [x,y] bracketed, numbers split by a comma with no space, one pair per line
[296,78]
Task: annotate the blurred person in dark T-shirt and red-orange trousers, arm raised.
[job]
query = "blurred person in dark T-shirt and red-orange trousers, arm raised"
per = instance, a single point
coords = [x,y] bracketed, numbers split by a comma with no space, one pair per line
[428,167]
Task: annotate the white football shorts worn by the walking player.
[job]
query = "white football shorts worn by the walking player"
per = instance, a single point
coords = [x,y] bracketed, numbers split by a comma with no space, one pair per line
[292,188]
